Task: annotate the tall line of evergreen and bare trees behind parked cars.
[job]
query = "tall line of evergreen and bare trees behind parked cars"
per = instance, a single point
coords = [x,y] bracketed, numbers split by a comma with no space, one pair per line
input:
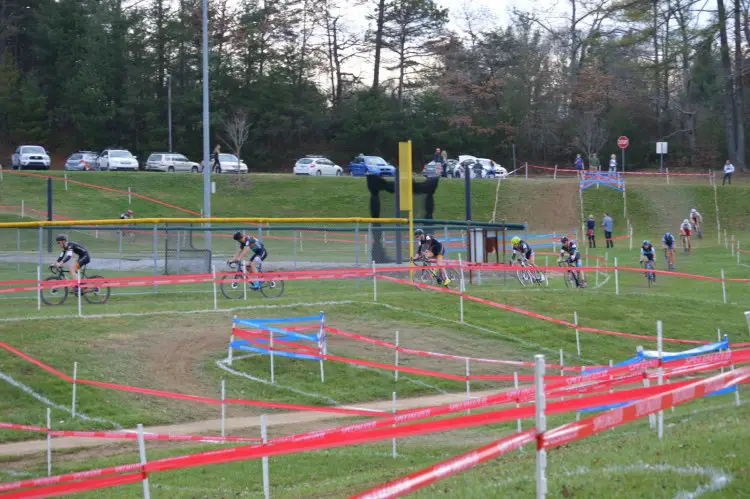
[302,76]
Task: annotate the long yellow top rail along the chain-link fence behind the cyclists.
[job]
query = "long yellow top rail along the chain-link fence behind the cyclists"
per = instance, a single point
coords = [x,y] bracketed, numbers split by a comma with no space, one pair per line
[151,221]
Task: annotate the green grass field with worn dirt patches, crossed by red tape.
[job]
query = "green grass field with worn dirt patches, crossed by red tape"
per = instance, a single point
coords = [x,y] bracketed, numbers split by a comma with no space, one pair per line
[152,341]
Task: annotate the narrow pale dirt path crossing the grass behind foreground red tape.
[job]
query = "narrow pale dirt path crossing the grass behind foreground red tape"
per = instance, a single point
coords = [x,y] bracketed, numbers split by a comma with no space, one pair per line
[211,426]
